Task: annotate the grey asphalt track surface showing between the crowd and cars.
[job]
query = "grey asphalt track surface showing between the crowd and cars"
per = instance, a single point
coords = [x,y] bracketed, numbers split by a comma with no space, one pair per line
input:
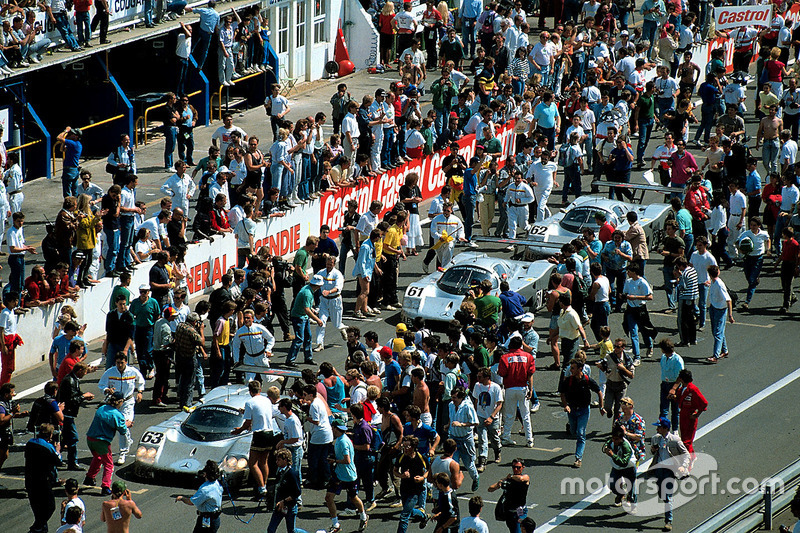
[756,443]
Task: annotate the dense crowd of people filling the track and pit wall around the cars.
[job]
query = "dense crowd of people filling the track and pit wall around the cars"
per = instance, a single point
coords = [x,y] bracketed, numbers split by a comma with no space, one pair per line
[424,407]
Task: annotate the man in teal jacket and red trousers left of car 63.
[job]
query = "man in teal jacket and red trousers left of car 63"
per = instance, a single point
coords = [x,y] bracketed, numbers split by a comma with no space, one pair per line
[108,420]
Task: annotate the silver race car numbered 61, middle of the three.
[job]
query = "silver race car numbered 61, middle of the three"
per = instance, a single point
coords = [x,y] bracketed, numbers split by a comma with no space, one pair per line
[437,296]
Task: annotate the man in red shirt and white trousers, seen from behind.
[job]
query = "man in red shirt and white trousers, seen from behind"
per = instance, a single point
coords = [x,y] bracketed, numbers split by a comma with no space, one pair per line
[516,368]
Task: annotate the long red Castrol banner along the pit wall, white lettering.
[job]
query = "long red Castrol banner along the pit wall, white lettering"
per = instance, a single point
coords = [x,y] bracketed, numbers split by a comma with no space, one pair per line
[386,186]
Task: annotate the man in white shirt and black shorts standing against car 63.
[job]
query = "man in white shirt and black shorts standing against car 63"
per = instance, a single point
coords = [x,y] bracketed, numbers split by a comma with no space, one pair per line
[258,413]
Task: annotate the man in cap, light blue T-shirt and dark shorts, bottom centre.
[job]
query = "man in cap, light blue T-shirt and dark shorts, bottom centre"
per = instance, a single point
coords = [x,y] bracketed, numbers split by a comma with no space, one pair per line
[345,477]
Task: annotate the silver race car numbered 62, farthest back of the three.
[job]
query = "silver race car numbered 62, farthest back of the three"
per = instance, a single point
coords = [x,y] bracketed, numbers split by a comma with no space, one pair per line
[545,238]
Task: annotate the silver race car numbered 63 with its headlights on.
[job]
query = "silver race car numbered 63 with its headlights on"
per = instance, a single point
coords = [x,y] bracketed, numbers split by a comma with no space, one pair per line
[180,446]
